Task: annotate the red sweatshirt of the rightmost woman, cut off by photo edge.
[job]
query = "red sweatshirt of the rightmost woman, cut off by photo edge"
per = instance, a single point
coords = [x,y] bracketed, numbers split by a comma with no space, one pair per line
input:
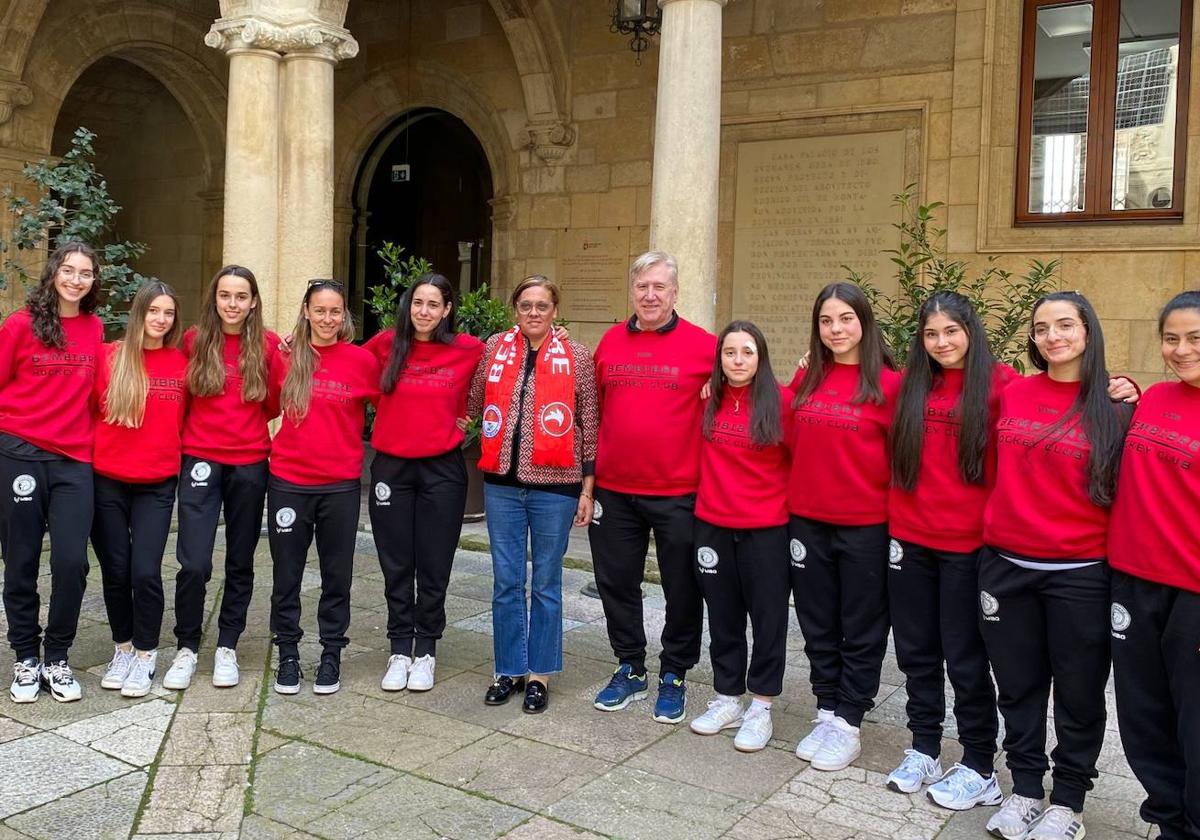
[1155,531]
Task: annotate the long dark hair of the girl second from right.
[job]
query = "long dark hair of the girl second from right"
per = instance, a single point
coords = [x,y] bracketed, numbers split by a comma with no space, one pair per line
[1093,410]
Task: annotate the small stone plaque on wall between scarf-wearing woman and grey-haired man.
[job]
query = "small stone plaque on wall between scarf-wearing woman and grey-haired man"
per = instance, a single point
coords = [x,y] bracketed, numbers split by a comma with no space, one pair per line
[593,274]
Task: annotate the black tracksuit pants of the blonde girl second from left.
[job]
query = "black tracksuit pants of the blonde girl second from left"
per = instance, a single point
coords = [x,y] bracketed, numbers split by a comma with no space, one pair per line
[129,533]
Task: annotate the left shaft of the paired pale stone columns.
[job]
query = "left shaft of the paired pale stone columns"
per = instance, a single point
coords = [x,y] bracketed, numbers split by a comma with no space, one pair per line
[253,163]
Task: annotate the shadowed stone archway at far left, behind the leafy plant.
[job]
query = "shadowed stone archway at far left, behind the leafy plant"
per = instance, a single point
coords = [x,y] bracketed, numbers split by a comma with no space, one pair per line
[151,155]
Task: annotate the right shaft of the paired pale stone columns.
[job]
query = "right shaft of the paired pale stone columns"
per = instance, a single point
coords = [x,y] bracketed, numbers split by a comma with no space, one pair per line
[307,195]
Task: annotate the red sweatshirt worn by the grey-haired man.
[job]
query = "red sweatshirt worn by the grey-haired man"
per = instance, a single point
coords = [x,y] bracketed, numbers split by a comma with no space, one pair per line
[649,385]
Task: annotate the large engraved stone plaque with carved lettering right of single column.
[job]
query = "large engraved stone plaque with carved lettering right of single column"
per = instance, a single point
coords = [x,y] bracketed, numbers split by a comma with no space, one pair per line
[806,207]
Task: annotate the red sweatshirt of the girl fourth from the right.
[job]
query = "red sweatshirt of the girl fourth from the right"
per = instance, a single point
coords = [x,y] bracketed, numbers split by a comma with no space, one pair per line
[841,469]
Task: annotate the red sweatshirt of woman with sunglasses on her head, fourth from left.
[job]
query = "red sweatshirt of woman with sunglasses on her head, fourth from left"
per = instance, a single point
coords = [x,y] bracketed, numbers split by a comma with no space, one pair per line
[327,446]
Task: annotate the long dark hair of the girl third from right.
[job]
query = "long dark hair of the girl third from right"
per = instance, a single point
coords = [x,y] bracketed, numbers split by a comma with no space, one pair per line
[922,374]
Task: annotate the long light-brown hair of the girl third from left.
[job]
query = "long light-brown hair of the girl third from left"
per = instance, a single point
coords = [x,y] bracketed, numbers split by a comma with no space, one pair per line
[206,369]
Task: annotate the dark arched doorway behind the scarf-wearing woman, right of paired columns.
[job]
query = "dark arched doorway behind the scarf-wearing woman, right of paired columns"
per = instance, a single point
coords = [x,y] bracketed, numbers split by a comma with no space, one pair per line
[425,185]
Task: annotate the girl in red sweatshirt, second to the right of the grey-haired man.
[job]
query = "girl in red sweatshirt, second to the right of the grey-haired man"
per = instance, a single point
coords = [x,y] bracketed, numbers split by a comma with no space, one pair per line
[837,497]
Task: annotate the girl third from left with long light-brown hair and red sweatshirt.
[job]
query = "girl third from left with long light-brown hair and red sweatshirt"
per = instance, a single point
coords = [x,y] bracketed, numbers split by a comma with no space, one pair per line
[226,443]
